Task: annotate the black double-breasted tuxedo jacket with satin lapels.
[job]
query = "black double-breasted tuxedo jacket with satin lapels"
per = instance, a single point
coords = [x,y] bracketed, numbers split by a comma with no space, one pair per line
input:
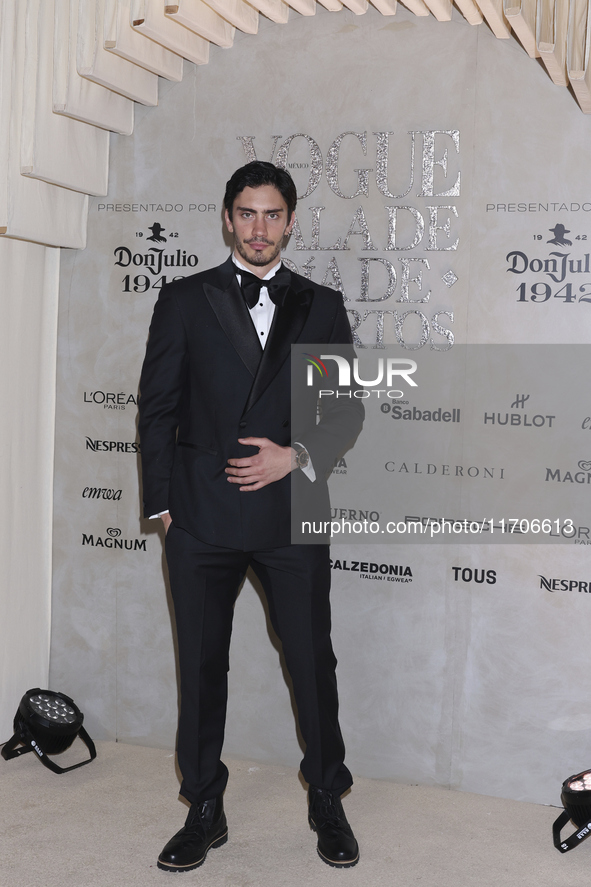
[206,382]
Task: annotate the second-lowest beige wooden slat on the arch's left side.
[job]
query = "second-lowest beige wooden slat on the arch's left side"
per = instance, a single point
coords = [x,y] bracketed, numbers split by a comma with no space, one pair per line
[54,148]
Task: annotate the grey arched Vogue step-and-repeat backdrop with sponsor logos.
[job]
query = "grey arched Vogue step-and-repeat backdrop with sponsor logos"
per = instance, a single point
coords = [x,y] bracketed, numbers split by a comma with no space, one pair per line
[444,189]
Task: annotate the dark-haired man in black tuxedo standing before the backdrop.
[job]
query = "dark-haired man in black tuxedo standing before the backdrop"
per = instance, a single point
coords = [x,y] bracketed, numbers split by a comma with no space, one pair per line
[219,457]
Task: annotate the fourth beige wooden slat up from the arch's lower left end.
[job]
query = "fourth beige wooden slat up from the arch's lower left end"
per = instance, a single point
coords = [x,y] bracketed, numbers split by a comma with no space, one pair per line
[94,62]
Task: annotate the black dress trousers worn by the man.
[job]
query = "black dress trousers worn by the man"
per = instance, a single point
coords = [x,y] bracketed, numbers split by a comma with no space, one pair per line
[204,582]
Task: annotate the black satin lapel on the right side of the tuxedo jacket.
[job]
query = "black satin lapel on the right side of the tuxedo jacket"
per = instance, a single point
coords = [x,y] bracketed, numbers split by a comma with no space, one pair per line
[287,325]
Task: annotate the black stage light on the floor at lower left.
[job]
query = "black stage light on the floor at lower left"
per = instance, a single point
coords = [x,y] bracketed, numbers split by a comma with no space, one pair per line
[47,723]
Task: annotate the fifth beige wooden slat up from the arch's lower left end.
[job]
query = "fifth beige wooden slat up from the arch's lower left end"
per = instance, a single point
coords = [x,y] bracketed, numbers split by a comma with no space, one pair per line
[123,40]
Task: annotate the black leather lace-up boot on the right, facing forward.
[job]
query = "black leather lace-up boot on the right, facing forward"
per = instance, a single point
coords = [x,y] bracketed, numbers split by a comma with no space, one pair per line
[336,842]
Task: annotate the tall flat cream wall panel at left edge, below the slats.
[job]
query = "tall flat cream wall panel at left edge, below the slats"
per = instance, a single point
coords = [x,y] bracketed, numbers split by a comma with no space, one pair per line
[28,347]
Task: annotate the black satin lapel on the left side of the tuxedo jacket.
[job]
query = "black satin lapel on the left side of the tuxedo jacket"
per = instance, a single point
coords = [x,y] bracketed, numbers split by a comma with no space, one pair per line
[232,313]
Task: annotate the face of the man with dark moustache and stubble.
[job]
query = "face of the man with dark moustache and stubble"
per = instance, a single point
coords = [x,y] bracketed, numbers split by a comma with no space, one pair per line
[259,223]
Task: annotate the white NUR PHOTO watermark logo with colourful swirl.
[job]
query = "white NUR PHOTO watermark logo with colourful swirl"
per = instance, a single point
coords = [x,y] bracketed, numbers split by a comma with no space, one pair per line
[385,372]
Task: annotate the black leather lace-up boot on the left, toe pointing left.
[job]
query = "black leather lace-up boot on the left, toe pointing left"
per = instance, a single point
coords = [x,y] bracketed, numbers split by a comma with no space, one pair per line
[205,827]
